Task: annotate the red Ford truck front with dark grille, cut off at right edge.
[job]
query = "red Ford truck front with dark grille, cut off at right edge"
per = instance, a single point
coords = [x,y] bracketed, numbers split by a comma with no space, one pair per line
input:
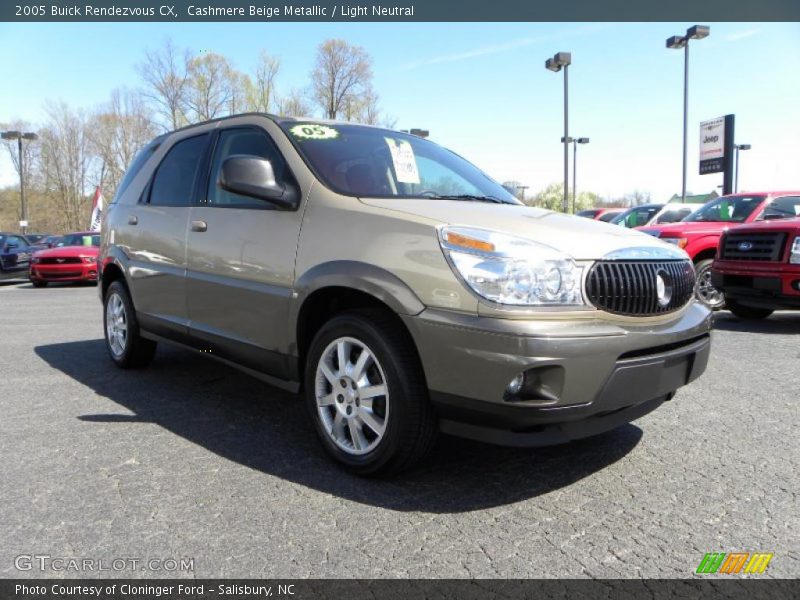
[758,267]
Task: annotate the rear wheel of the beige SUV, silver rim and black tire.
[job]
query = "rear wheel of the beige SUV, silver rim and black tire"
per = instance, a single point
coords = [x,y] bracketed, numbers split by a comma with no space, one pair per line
[127,348]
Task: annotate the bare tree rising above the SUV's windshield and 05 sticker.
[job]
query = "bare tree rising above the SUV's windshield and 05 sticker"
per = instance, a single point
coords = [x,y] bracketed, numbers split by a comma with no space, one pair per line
[342,73]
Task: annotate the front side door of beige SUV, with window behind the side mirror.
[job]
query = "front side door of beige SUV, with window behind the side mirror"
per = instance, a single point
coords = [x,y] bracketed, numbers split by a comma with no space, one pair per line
[241,259]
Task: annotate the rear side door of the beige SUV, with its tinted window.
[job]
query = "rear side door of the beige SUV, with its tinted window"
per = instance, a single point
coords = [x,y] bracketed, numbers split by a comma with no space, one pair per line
[154,232]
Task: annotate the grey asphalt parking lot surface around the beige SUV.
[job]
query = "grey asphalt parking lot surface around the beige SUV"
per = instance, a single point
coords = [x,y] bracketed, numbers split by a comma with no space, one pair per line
[192,459]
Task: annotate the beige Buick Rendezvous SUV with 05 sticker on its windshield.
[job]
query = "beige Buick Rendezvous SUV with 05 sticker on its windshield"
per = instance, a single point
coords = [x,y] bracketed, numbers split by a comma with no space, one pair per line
[394,284]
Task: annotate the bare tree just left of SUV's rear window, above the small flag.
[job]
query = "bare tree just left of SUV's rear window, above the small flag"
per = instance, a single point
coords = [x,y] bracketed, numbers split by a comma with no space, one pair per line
[118,130]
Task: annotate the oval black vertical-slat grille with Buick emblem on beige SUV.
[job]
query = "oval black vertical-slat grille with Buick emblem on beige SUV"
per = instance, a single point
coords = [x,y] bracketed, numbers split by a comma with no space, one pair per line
[632,288]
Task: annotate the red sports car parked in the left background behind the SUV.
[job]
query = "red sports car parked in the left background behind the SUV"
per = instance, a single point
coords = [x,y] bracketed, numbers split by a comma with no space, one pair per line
[74,258]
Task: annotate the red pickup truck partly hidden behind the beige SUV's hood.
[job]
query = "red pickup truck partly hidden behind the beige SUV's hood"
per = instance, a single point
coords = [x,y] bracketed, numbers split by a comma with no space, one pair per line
[699,233]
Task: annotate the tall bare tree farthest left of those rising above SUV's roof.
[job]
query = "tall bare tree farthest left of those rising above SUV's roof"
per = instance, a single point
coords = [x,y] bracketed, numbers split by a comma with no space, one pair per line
[166,77]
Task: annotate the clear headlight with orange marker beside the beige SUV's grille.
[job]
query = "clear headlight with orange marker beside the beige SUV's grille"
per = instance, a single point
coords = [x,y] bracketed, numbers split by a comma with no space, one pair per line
[511,270]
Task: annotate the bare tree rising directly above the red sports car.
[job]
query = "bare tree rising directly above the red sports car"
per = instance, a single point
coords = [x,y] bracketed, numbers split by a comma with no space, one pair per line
[67,162]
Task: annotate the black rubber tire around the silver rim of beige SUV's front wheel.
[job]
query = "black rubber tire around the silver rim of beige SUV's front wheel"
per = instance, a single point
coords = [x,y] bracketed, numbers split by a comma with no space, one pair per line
[411,427]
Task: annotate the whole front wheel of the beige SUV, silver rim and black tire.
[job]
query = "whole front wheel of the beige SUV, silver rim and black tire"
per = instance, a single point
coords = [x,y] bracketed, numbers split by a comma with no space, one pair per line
[367,395]
